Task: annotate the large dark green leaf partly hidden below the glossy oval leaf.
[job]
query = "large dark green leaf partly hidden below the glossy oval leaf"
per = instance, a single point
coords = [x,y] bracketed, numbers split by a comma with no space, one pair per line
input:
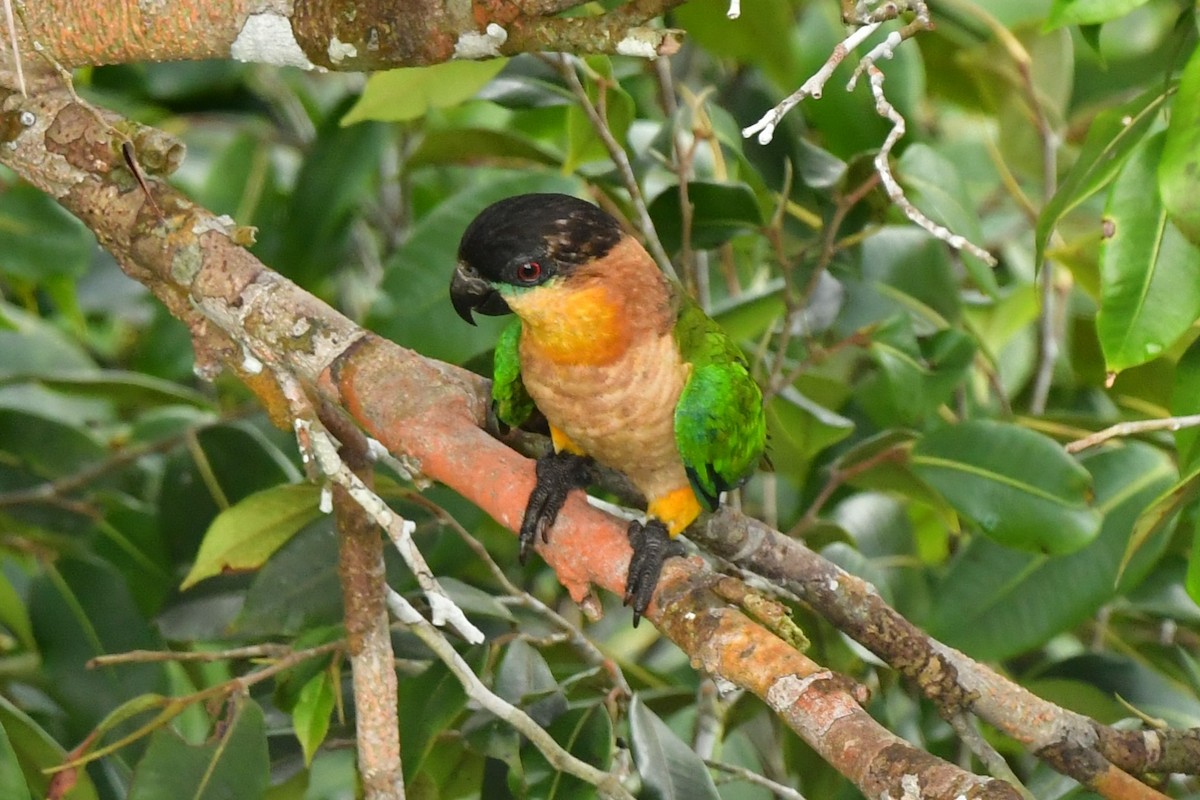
[995,603]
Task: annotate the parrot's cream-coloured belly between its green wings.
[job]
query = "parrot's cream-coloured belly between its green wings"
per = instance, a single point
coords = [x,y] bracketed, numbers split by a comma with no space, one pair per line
[621,414]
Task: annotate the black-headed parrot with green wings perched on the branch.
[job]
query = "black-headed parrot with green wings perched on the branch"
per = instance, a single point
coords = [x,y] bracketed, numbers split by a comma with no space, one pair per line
[626,368]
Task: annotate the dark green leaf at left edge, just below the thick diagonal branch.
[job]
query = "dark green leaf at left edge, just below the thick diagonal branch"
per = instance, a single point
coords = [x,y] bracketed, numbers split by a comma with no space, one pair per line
[39,238]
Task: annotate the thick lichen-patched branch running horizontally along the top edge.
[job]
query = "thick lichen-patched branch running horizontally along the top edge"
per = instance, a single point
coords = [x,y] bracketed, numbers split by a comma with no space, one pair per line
[317,34]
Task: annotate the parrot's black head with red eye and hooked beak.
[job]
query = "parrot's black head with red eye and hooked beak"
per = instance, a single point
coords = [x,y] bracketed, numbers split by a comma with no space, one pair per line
[525,242]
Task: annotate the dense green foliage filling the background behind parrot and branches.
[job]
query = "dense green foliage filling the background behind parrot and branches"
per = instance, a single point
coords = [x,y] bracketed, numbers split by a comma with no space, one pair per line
[143,507]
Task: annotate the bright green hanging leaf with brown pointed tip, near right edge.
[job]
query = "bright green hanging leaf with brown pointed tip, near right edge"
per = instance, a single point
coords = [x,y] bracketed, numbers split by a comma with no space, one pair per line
[1150,274]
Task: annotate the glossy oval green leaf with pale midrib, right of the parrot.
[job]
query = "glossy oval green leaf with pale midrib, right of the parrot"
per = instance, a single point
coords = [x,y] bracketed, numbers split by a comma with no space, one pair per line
[1017,486]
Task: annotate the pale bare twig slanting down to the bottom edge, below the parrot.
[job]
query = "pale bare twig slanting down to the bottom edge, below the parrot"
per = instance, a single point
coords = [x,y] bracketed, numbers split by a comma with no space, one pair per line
[607,784]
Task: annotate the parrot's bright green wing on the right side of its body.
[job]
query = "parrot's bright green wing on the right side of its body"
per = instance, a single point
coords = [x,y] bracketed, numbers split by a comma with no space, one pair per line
[721,425]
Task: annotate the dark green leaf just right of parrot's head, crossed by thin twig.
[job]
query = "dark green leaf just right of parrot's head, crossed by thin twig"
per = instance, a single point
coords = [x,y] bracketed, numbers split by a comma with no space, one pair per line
[721,212]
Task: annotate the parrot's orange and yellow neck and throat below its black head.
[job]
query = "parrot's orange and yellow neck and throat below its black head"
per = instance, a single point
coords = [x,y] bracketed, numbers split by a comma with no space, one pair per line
[593,318]
